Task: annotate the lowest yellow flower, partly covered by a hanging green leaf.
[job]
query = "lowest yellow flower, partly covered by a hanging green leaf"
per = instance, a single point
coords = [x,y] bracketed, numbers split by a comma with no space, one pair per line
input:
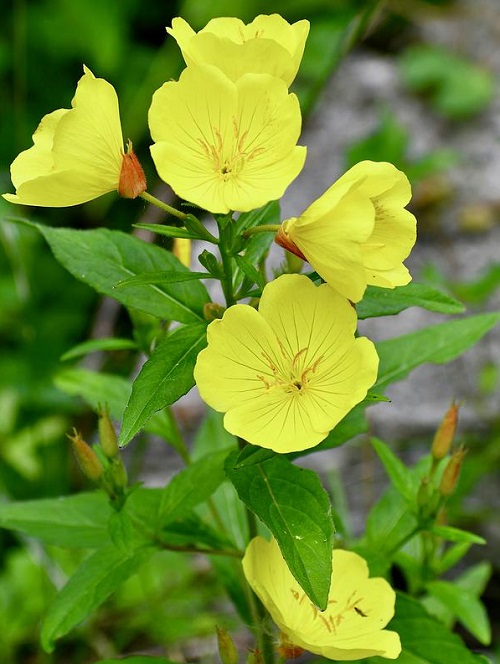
[358,609]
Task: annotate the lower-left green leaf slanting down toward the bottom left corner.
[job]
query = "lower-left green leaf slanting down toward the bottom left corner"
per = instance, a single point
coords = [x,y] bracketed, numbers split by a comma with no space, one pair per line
[93,582]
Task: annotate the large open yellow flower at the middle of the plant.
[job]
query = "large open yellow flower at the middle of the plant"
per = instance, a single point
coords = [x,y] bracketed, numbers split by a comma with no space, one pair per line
[286,374]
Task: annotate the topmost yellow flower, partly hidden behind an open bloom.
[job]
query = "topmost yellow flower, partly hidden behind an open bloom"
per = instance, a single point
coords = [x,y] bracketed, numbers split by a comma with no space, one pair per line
[267,45]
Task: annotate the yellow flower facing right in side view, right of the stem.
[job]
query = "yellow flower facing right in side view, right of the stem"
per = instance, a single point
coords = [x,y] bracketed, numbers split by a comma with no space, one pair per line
[358,232]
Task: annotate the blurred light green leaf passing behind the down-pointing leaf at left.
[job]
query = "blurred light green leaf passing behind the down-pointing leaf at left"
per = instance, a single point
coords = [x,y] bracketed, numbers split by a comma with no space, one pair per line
[115,391]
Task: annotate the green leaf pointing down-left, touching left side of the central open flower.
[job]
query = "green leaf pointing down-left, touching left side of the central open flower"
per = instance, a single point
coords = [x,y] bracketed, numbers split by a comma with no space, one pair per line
[164,378]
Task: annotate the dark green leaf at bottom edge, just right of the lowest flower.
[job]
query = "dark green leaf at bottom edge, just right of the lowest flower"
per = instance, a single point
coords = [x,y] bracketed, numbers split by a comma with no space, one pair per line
[424,639]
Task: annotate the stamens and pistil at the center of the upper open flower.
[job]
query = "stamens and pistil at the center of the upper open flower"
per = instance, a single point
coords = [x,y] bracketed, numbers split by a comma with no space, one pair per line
[228,157]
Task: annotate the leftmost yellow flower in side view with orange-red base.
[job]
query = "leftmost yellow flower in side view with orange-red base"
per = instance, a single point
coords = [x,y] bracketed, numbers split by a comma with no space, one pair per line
[78,153]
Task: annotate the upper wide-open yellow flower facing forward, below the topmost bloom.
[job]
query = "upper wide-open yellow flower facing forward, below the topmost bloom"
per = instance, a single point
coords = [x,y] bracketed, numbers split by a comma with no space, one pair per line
[226,145]
